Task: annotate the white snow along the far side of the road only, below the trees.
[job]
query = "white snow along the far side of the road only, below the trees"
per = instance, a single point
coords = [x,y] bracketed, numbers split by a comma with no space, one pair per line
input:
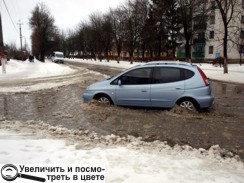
[27,70]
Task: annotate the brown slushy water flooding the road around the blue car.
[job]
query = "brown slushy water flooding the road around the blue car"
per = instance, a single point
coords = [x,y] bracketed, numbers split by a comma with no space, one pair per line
[223,124]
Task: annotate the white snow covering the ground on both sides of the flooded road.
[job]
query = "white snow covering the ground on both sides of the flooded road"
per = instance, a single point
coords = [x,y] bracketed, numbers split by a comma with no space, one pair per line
[125,159]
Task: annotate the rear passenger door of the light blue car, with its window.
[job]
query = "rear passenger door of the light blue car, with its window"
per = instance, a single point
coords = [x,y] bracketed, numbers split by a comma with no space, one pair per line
[167,86]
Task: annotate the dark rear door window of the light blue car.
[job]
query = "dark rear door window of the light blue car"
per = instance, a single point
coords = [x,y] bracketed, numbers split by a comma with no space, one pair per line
[167,75]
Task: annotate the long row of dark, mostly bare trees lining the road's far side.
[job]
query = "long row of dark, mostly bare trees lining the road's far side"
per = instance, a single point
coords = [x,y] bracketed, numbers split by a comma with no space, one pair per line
[142,30]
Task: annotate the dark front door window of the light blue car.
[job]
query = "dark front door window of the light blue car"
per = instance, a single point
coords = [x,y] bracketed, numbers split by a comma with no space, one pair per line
[136,77]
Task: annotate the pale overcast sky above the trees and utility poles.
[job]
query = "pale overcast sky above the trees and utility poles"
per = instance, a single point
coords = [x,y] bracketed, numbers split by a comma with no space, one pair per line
[67,14]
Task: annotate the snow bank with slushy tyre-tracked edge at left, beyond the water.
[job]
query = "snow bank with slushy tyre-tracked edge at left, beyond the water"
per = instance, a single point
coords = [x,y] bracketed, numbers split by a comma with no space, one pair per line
[25,76]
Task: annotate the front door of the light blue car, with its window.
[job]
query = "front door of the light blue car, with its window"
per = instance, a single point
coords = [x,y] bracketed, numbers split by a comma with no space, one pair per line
[134,88]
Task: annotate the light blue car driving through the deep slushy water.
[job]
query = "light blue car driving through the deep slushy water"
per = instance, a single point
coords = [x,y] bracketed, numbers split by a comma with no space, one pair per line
[155,84]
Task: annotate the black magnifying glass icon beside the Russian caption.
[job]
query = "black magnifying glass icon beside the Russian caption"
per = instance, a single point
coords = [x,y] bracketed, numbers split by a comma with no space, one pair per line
[10,173]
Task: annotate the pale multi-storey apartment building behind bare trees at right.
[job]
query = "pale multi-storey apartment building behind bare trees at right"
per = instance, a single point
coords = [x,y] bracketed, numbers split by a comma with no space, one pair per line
[207,42]
